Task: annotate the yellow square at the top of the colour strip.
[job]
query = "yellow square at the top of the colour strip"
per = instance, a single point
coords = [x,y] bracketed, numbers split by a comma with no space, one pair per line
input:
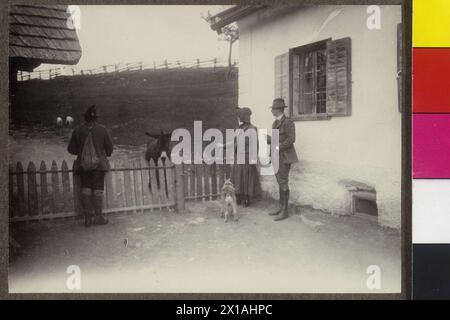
[431,23]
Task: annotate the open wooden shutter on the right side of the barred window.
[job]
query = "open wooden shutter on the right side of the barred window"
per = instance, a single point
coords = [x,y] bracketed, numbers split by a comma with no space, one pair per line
[339,81]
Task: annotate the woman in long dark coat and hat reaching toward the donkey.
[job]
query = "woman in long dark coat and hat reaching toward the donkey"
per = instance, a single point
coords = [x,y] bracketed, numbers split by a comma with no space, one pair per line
[245,174]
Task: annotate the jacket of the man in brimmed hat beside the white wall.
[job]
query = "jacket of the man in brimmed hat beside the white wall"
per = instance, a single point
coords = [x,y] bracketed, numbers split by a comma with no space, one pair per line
[286,129]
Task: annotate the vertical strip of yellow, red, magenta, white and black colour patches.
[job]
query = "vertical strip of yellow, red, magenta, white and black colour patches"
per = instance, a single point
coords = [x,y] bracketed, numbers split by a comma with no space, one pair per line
[431,148]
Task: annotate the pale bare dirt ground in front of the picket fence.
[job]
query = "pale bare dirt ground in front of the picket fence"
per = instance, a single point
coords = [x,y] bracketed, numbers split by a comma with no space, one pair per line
[196,251]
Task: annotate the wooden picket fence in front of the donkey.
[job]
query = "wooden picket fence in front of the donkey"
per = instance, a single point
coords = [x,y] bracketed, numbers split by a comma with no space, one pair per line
[49,192]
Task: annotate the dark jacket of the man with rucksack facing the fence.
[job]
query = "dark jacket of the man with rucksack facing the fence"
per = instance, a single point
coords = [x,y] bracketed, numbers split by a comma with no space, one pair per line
[102,143]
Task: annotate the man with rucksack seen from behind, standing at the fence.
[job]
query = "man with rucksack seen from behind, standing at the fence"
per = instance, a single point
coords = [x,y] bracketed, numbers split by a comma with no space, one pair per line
[92,179]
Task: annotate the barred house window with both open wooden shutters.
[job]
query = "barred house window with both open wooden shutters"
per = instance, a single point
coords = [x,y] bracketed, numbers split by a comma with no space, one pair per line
[315,79]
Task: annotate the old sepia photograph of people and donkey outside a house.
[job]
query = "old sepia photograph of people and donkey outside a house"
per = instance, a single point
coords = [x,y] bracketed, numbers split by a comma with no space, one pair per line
[205,149]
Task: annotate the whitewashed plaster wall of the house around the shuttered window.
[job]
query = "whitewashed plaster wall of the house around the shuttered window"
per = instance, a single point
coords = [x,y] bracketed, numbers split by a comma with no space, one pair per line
[364,147]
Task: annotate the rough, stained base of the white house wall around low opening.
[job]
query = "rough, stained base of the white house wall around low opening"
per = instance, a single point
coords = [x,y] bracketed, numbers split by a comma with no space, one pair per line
[324,186]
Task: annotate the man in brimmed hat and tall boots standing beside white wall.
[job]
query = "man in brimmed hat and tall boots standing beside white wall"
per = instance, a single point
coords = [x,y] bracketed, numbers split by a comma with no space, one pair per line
[287,155]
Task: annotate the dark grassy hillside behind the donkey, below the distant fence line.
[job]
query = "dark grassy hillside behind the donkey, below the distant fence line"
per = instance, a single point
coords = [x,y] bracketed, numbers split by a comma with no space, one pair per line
[132,102]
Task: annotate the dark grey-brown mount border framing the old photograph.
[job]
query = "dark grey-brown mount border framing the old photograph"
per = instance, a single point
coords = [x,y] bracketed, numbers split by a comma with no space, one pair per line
[406,182]
